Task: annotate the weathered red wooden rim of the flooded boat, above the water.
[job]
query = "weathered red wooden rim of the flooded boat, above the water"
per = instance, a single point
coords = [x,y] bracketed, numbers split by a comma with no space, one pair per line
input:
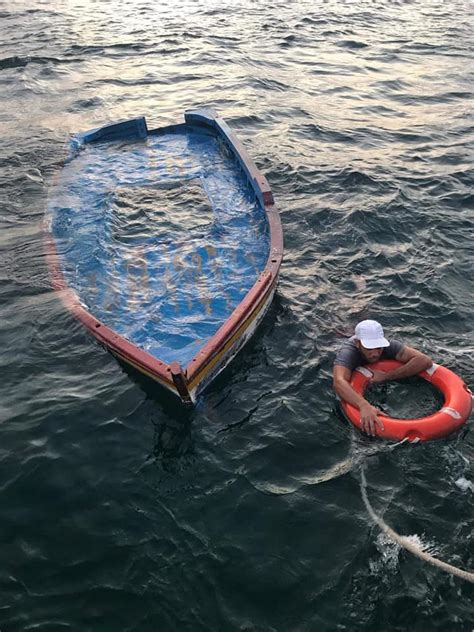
[195,372]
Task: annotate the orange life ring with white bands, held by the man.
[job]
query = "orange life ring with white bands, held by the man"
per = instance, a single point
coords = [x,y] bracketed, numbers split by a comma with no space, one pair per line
[455,411]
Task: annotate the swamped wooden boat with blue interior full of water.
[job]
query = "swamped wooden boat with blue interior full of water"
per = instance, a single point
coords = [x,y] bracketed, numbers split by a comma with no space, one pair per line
[166,244]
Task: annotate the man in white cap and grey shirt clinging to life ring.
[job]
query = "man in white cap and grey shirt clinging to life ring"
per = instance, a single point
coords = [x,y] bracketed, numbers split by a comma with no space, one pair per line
[369,345]
